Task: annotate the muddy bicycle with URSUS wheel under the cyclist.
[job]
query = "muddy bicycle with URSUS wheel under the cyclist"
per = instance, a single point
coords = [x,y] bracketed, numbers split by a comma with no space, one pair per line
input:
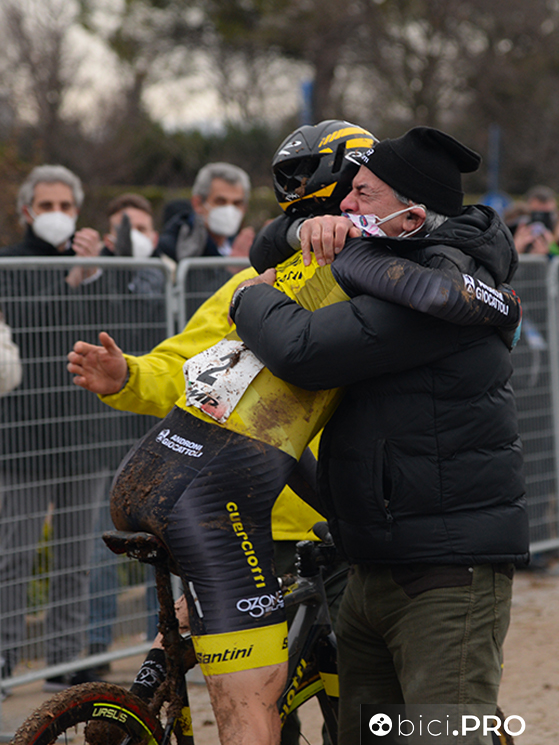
[107,714]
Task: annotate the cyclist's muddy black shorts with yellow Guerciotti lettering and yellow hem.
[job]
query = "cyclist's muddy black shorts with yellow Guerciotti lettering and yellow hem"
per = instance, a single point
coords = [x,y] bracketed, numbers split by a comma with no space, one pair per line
[208,493]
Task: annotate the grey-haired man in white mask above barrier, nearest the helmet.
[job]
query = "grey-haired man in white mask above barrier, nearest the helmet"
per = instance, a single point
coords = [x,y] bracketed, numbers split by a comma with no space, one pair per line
[211,228]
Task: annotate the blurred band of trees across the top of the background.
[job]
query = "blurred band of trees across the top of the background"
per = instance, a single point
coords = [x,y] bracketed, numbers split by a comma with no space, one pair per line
[456,64]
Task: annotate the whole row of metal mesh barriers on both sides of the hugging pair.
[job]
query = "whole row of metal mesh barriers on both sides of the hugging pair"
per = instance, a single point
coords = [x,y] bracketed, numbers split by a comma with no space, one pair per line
[59,447]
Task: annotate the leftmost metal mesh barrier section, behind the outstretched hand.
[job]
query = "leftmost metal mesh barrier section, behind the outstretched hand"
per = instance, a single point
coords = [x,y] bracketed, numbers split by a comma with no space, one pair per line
[63,595]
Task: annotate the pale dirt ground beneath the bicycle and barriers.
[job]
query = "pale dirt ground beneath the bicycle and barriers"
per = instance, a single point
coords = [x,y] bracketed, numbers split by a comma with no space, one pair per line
[530,686]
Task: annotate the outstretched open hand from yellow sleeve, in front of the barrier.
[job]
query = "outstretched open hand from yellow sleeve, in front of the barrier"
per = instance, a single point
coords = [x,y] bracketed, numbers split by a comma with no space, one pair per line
[99,369]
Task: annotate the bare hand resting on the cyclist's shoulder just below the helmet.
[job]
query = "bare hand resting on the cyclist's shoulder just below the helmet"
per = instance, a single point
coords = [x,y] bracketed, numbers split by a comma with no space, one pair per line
[325,236]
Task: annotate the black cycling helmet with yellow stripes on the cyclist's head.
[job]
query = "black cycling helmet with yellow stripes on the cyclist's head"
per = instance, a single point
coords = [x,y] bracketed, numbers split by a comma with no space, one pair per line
[310,171]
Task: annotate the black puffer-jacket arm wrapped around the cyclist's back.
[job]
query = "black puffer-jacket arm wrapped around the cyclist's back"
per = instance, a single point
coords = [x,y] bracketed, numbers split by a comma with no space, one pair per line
[341,343]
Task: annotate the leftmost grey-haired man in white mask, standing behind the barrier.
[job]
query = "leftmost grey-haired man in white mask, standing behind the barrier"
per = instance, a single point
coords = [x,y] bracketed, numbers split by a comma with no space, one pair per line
[49,456]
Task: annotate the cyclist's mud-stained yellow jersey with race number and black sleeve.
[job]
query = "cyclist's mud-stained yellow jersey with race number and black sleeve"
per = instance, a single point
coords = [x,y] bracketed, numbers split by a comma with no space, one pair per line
[260,405]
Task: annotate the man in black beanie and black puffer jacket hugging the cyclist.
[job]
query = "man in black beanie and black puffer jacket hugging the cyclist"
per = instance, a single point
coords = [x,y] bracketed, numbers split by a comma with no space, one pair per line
[420,467]
